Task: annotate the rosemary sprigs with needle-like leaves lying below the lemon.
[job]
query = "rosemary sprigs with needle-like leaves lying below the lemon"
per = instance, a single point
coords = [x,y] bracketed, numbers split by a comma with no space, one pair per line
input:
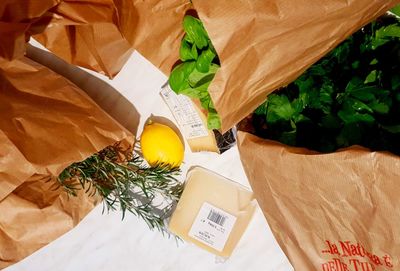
[123,181]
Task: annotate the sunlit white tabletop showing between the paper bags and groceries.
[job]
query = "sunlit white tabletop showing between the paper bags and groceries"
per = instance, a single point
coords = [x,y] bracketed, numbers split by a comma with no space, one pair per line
[104,242]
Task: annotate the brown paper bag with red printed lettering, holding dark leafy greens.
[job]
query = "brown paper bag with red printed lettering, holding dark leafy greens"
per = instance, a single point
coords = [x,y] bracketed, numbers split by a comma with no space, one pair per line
[328,212]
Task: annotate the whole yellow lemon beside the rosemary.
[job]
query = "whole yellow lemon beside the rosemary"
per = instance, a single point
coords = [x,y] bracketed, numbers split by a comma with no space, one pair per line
[161,145]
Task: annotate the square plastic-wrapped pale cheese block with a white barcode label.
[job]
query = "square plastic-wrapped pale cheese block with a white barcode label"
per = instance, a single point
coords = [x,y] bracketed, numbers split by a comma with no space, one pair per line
[213,212]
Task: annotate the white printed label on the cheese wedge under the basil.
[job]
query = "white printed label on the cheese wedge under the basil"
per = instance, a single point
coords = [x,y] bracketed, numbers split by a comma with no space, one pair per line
[185,113]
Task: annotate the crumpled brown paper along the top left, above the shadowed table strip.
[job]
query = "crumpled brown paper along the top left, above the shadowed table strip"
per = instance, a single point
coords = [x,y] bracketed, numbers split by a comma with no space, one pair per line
[95,34]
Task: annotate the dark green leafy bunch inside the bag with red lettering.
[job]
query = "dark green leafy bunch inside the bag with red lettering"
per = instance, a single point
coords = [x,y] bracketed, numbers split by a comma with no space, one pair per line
[349,97]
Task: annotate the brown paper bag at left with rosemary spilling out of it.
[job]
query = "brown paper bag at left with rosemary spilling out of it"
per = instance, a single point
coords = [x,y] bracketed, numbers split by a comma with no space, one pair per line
[46,124]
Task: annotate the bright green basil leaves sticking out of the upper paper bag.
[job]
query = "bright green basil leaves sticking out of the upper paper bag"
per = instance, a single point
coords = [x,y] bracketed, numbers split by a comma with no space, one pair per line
[199,65]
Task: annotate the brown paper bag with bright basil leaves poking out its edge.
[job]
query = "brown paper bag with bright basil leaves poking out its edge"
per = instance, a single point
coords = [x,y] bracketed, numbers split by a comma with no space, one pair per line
[264,45]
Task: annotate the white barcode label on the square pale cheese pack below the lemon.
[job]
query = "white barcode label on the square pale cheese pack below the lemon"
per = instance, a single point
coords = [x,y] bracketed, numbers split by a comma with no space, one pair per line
[212,226]
